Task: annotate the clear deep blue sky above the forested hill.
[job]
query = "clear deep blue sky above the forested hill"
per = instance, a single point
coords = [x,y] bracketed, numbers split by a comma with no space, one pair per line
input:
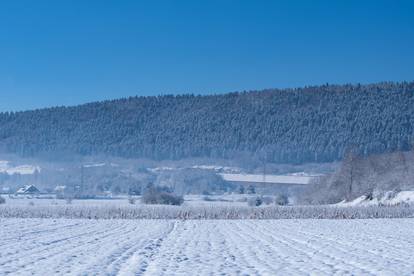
[70,52]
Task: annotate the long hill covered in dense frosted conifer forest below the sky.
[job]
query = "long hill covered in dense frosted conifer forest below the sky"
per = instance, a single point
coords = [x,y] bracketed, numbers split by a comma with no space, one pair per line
[292,126]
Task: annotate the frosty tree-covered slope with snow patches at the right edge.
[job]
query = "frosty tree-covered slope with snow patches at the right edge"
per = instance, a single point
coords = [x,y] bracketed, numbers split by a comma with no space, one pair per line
[377,178]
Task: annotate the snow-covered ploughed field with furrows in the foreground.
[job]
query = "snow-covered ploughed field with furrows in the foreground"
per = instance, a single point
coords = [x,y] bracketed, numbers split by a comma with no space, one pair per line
[206,247]
